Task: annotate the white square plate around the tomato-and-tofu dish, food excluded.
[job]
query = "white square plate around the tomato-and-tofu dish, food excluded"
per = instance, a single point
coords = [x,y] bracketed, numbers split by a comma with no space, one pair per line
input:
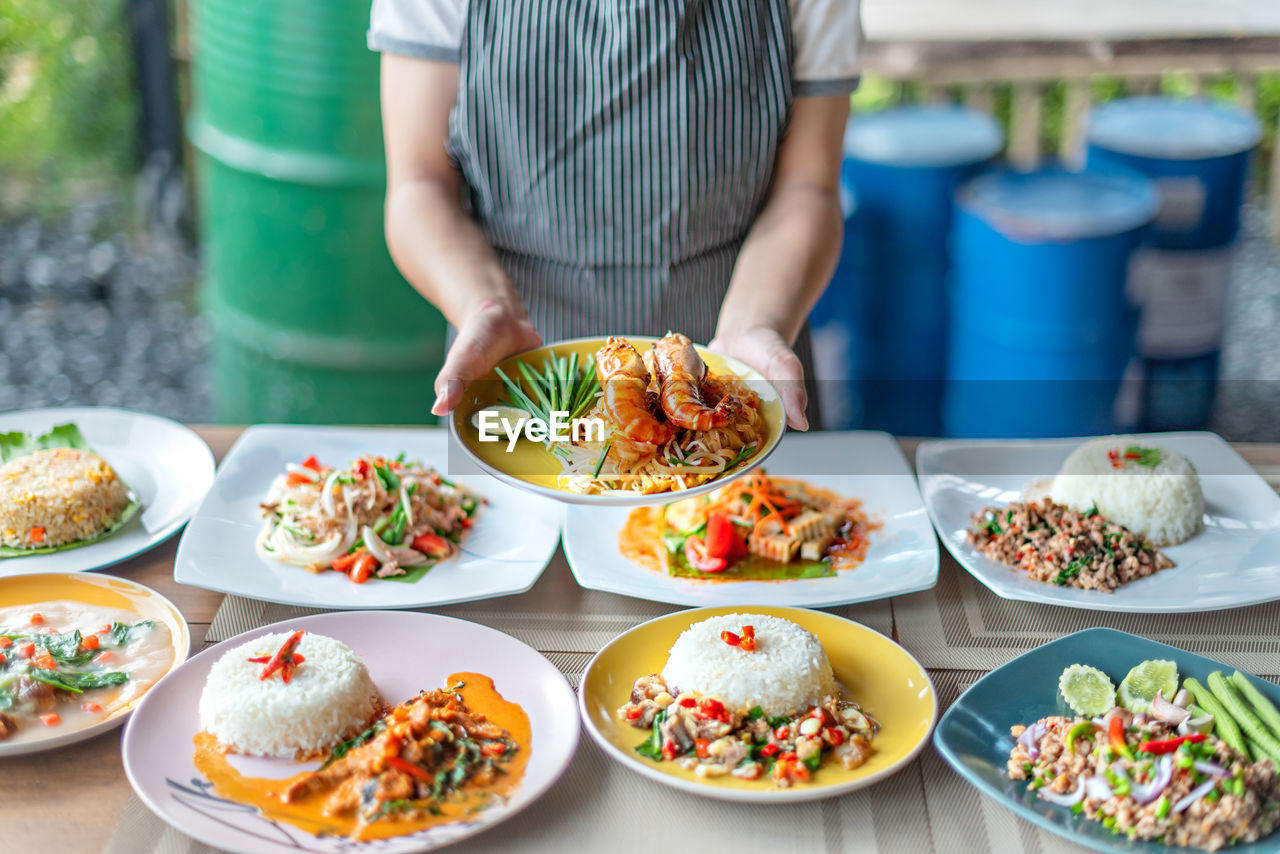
[870,467]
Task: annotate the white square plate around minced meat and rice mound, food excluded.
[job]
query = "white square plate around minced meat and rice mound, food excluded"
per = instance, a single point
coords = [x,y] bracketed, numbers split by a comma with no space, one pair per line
[1233,563]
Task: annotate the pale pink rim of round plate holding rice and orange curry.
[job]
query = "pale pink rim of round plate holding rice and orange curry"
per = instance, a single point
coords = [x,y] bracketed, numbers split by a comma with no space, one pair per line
[527,794]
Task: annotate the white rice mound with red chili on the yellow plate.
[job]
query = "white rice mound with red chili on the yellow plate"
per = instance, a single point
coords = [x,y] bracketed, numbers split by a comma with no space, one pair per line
[788,673]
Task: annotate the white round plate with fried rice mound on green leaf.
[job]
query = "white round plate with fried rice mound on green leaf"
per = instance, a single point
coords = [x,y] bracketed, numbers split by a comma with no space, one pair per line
[83,488]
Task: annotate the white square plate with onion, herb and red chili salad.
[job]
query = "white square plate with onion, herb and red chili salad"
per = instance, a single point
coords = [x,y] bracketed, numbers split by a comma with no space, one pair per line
[363,518]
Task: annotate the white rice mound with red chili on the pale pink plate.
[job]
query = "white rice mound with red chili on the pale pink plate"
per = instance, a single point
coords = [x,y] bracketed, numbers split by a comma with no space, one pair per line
[328,700]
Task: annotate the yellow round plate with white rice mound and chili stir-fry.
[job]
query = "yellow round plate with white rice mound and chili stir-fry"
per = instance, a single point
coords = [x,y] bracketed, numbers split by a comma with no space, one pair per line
[758,705]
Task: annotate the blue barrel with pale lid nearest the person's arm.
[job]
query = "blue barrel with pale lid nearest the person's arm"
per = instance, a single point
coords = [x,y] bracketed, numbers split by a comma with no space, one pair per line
[904,166]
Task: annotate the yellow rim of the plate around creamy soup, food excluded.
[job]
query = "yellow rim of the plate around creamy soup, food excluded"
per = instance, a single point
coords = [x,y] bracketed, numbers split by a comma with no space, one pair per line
[107,592]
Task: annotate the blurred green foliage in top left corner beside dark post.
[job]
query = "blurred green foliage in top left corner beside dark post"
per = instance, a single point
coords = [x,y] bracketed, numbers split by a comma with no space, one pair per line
[67,94]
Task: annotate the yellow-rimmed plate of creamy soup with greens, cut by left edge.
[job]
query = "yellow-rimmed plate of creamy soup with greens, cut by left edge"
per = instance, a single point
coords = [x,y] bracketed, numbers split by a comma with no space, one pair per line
[79,654]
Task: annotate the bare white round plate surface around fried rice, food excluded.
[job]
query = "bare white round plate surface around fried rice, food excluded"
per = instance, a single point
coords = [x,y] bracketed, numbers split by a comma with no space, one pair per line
[166,464]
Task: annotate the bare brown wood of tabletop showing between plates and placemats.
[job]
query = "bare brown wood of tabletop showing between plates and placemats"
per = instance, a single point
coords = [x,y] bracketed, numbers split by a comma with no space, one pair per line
[81,791]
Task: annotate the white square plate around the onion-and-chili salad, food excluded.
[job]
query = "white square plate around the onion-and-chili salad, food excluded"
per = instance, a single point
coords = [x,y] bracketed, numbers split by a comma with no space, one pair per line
[505,552]
